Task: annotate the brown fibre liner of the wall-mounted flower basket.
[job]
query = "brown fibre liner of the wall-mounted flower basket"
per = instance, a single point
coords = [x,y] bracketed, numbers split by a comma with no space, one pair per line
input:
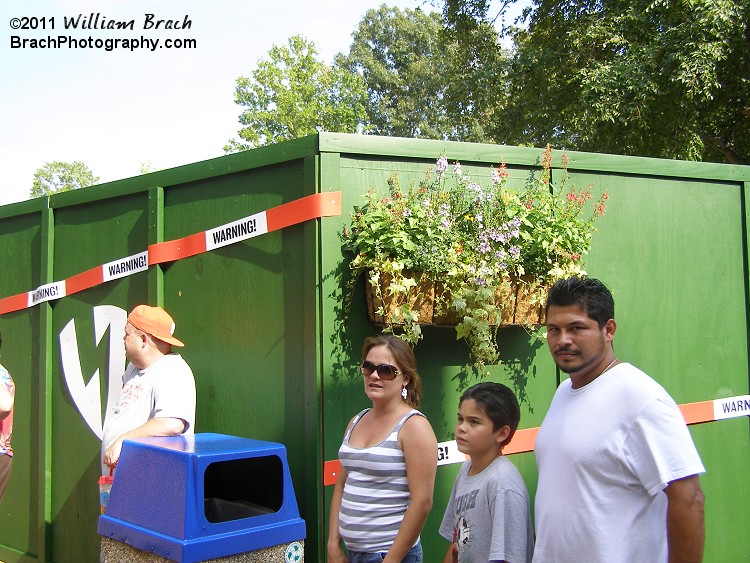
[520,302]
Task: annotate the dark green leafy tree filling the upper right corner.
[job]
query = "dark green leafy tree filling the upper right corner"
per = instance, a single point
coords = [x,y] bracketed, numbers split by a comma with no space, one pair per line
[661,78]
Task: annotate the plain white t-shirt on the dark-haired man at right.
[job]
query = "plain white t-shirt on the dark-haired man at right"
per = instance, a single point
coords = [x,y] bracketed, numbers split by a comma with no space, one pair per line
[605,452]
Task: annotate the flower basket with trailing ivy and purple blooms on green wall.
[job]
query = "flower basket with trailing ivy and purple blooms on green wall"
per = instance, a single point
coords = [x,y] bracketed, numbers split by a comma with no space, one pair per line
[477,256]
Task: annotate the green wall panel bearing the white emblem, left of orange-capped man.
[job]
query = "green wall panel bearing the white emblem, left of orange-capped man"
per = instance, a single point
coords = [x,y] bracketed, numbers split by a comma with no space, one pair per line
[98,232]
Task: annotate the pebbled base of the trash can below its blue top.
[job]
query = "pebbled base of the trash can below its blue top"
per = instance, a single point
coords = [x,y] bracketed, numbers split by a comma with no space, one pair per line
[114,551]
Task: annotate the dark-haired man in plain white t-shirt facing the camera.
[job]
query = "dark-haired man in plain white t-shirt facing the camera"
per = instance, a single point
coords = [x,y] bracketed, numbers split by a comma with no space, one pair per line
[618,470]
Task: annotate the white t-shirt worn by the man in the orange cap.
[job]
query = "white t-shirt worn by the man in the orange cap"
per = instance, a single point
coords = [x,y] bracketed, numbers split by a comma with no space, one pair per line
[165,389]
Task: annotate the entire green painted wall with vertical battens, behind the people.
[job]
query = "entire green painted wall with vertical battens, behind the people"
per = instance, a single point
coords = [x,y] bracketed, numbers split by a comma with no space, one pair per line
[274,353]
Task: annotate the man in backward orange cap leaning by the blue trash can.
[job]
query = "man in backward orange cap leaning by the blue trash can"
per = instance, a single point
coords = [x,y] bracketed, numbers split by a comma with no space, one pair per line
[158,391]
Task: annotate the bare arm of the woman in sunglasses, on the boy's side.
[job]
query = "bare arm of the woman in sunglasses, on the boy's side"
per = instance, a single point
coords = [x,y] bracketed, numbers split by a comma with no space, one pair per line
[420,454]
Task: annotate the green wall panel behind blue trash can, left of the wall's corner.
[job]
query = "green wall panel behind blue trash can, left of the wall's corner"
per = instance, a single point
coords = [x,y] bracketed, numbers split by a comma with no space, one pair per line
[247,313]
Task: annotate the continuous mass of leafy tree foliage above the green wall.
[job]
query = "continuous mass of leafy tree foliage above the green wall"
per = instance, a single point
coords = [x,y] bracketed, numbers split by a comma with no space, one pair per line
[660,78]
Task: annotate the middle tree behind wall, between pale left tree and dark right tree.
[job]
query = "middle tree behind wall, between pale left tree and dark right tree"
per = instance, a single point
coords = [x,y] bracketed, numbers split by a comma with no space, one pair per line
[420,81]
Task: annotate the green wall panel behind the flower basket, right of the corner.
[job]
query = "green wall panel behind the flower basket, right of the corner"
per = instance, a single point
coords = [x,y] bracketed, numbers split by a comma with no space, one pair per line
[441,359]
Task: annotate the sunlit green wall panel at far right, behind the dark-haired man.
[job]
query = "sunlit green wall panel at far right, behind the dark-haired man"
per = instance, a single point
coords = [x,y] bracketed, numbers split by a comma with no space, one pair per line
[672,252]
